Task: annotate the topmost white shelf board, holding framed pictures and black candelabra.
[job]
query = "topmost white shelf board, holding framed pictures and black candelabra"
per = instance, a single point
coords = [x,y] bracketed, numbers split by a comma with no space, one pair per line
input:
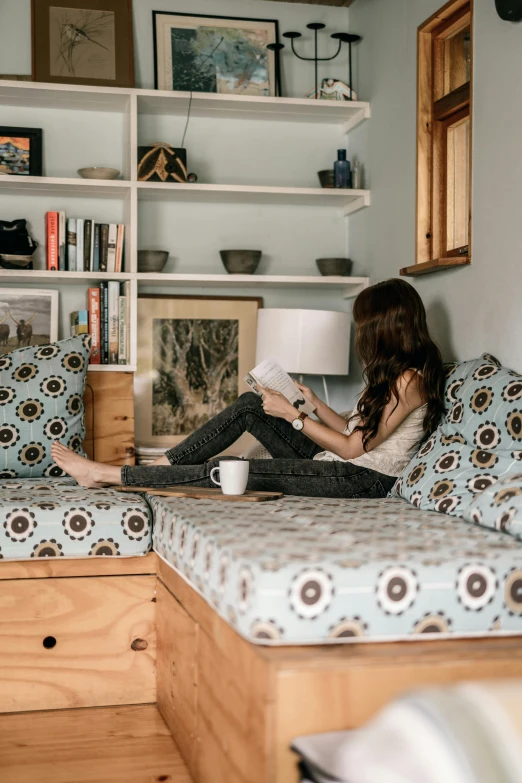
[347,114]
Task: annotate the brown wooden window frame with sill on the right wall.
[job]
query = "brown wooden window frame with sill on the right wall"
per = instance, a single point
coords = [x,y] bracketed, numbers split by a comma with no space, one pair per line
[434,115]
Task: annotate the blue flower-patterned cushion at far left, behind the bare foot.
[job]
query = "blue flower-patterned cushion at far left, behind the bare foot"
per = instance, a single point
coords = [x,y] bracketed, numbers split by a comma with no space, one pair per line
[41,399]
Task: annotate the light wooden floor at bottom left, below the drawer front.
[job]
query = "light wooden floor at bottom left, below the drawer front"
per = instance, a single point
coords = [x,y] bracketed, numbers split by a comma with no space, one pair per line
[103,745]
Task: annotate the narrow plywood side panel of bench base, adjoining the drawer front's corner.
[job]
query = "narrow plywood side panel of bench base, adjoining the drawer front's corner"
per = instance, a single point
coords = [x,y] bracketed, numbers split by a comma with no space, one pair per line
[177,640]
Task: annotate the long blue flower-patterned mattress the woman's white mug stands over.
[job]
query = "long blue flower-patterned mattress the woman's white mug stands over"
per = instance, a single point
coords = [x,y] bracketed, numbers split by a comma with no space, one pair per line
[310,571]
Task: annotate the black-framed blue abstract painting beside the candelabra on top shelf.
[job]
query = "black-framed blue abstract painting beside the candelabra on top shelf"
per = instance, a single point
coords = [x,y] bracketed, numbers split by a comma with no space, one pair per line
[214,53]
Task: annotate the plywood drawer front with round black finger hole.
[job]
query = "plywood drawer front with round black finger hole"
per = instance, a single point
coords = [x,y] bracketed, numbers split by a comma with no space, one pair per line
[95,661]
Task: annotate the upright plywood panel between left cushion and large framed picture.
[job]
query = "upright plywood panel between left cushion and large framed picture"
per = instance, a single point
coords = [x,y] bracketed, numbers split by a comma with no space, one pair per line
[109,417]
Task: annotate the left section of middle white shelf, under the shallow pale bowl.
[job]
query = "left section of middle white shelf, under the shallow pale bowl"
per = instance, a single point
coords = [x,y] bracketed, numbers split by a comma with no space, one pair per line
[100,188]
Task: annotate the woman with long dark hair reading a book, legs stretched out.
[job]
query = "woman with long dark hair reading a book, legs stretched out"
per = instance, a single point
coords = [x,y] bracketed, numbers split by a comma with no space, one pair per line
[326,456]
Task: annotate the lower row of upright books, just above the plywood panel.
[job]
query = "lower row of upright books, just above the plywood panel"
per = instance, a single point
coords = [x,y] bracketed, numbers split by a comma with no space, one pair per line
[107,320]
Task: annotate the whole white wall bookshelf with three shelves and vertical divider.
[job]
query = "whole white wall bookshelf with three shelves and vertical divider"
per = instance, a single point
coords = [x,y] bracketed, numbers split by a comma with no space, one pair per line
[126,197]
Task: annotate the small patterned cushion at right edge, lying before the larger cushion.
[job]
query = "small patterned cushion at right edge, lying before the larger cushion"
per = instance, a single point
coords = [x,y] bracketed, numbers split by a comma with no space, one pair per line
[499,506]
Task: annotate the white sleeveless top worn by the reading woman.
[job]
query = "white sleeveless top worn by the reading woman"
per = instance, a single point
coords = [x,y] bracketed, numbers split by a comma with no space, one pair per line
[391,456]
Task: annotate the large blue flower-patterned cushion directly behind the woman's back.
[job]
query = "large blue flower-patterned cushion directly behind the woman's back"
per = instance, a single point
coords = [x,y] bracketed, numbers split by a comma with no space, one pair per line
[479,441]
